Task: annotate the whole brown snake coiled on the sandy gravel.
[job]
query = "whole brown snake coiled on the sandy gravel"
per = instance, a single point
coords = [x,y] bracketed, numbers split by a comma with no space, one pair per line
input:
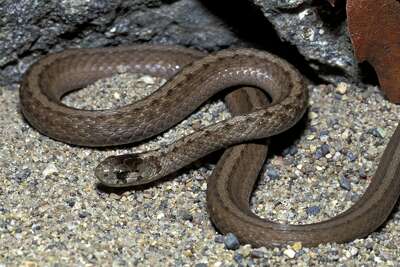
[193,78]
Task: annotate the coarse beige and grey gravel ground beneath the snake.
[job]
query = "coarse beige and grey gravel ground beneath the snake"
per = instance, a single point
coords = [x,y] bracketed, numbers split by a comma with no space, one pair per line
[52,211]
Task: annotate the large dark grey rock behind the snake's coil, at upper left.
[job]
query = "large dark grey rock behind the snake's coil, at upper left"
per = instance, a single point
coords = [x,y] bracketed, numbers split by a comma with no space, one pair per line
[30,29]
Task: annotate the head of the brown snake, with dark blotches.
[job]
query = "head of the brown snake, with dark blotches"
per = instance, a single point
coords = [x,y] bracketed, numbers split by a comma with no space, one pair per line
[127,170]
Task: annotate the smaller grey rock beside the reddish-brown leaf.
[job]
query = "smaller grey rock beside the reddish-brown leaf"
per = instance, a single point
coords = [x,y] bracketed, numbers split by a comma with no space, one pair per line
[318,33]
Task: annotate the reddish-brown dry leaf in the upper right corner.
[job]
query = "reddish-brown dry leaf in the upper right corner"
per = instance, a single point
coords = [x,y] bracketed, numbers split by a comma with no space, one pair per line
[374,27]
